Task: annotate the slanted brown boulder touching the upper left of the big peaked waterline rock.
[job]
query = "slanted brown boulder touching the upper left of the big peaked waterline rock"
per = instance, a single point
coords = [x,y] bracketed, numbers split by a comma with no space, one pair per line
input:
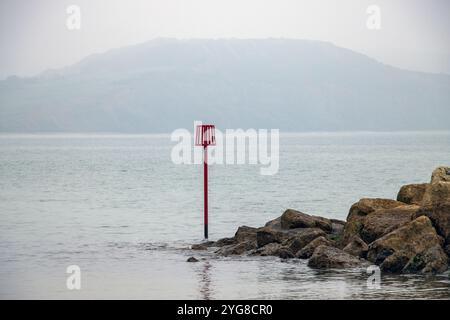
[383,221]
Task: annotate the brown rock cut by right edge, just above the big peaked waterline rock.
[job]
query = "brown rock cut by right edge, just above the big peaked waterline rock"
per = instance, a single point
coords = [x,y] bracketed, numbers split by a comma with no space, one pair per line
[439,215]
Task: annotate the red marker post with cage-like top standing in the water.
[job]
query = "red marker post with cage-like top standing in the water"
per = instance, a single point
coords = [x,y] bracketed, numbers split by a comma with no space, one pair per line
[205,136]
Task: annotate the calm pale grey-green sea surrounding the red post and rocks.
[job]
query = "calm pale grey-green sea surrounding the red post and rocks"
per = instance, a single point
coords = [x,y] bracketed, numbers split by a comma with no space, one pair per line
[117,207]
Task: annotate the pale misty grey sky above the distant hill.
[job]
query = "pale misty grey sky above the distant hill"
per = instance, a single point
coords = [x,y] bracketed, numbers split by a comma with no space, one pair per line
[414,34]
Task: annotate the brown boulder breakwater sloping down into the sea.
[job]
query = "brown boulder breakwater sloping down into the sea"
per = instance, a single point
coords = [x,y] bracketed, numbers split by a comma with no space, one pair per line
[407,235]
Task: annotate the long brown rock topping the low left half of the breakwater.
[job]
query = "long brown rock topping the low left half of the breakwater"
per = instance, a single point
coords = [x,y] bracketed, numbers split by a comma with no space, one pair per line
[291,219]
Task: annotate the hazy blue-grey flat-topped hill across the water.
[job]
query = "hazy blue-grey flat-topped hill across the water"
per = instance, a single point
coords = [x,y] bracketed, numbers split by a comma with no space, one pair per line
[293,85]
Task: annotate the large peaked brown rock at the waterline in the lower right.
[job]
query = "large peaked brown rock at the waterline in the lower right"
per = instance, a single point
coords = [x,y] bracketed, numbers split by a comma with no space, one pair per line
[396,249]
